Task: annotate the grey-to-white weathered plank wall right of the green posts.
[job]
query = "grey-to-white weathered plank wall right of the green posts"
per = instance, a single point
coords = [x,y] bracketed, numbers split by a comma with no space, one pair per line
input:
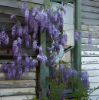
[90,52]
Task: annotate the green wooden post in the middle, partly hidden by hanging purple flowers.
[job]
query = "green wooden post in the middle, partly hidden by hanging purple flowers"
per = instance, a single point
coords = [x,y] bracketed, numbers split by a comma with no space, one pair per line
[44,70]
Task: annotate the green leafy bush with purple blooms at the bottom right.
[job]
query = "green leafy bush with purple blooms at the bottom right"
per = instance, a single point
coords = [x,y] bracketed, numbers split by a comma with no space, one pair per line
[80,83]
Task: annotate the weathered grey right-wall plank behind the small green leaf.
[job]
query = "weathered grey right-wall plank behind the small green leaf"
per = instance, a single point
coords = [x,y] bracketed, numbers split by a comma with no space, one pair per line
[93,29]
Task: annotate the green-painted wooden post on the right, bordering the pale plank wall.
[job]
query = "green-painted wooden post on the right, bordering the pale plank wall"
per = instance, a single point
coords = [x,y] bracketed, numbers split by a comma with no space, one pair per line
[76,52]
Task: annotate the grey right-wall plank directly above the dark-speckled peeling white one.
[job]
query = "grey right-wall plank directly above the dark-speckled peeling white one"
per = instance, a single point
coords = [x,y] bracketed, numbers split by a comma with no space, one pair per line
[90,47]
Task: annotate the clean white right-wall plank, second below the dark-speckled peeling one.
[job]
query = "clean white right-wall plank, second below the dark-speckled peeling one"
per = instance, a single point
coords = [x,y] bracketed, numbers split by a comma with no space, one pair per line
[90,67]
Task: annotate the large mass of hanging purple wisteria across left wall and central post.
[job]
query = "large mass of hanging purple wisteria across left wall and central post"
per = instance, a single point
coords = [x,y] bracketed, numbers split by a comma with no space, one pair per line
[35,20]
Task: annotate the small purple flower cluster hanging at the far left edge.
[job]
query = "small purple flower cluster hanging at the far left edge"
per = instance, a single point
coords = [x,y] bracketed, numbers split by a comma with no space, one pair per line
[4,38]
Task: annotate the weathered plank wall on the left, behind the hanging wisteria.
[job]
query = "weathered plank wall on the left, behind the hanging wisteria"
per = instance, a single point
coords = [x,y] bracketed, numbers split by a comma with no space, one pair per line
[26,86]
